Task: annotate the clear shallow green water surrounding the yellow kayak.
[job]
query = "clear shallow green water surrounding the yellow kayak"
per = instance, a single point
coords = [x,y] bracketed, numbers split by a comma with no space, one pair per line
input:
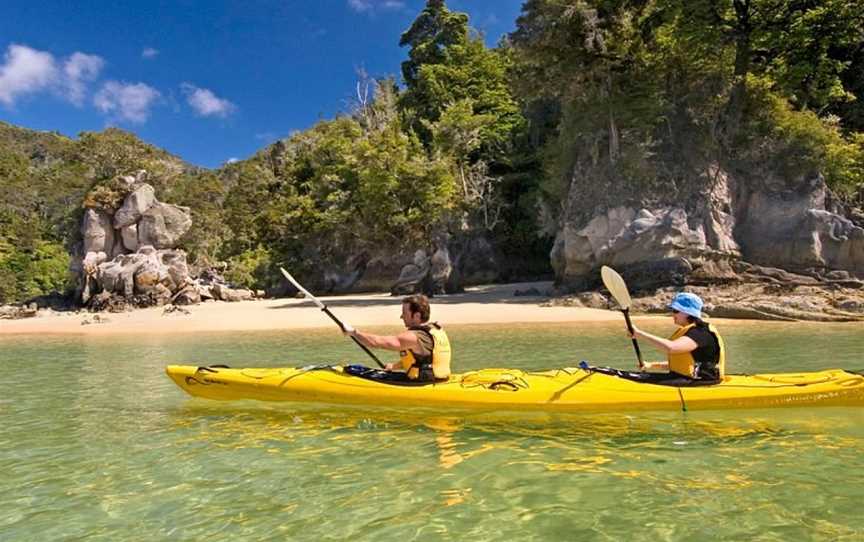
[96,443]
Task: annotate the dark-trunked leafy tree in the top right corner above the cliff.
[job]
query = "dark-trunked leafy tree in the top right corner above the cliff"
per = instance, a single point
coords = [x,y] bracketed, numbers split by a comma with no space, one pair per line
[801,48]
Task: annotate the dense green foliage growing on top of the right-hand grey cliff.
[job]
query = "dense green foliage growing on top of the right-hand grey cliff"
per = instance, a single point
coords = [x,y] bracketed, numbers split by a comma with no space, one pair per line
[652,93]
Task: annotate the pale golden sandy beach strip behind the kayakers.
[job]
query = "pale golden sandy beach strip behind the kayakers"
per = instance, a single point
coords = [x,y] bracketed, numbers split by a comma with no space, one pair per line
[478,305]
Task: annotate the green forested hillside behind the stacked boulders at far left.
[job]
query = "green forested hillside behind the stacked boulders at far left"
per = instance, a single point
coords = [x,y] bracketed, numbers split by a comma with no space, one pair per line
[46,178]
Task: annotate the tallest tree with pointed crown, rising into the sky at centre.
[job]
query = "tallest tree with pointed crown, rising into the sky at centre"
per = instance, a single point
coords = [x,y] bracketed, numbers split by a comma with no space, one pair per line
[458,99]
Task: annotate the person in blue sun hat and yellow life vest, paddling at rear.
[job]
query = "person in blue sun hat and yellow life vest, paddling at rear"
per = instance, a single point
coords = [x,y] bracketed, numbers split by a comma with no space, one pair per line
[695,352]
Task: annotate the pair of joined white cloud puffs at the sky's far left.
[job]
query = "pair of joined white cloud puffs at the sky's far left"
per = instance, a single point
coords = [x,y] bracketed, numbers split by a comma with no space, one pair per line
[29,71]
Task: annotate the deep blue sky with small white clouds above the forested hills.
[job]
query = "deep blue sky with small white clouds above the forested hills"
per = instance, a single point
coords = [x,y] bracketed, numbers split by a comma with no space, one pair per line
[208,81]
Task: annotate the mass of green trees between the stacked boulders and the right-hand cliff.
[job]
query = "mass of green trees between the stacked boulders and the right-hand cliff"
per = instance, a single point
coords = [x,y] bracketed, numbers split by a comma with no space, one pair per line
[445,156]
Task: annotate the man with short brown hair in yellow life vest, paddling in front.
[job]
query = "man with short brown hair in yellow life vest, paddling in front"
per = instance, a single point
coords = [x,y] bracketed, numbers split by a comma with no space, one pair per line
[424,349]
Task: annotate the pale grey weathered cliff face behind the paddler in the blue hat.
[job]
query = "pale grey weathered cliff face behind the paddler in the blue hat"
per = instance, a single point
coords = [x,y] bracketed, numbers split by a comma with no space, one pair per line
[783,225]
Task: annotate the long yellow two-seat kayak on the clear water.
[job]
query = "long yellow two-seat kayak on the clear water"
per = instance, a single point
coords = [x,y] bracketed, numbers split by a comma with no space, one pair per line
[561,390]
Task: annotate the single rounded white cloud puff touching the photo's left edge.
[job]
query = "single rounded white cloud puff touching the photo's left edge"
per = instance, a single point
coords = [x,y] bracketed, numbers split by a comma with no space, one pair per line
[25,71]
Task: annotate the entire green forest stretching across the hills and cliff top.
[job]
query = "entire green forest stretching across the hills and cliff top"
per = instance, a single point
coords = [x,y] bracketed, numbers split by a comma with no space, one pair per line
[638,96]
